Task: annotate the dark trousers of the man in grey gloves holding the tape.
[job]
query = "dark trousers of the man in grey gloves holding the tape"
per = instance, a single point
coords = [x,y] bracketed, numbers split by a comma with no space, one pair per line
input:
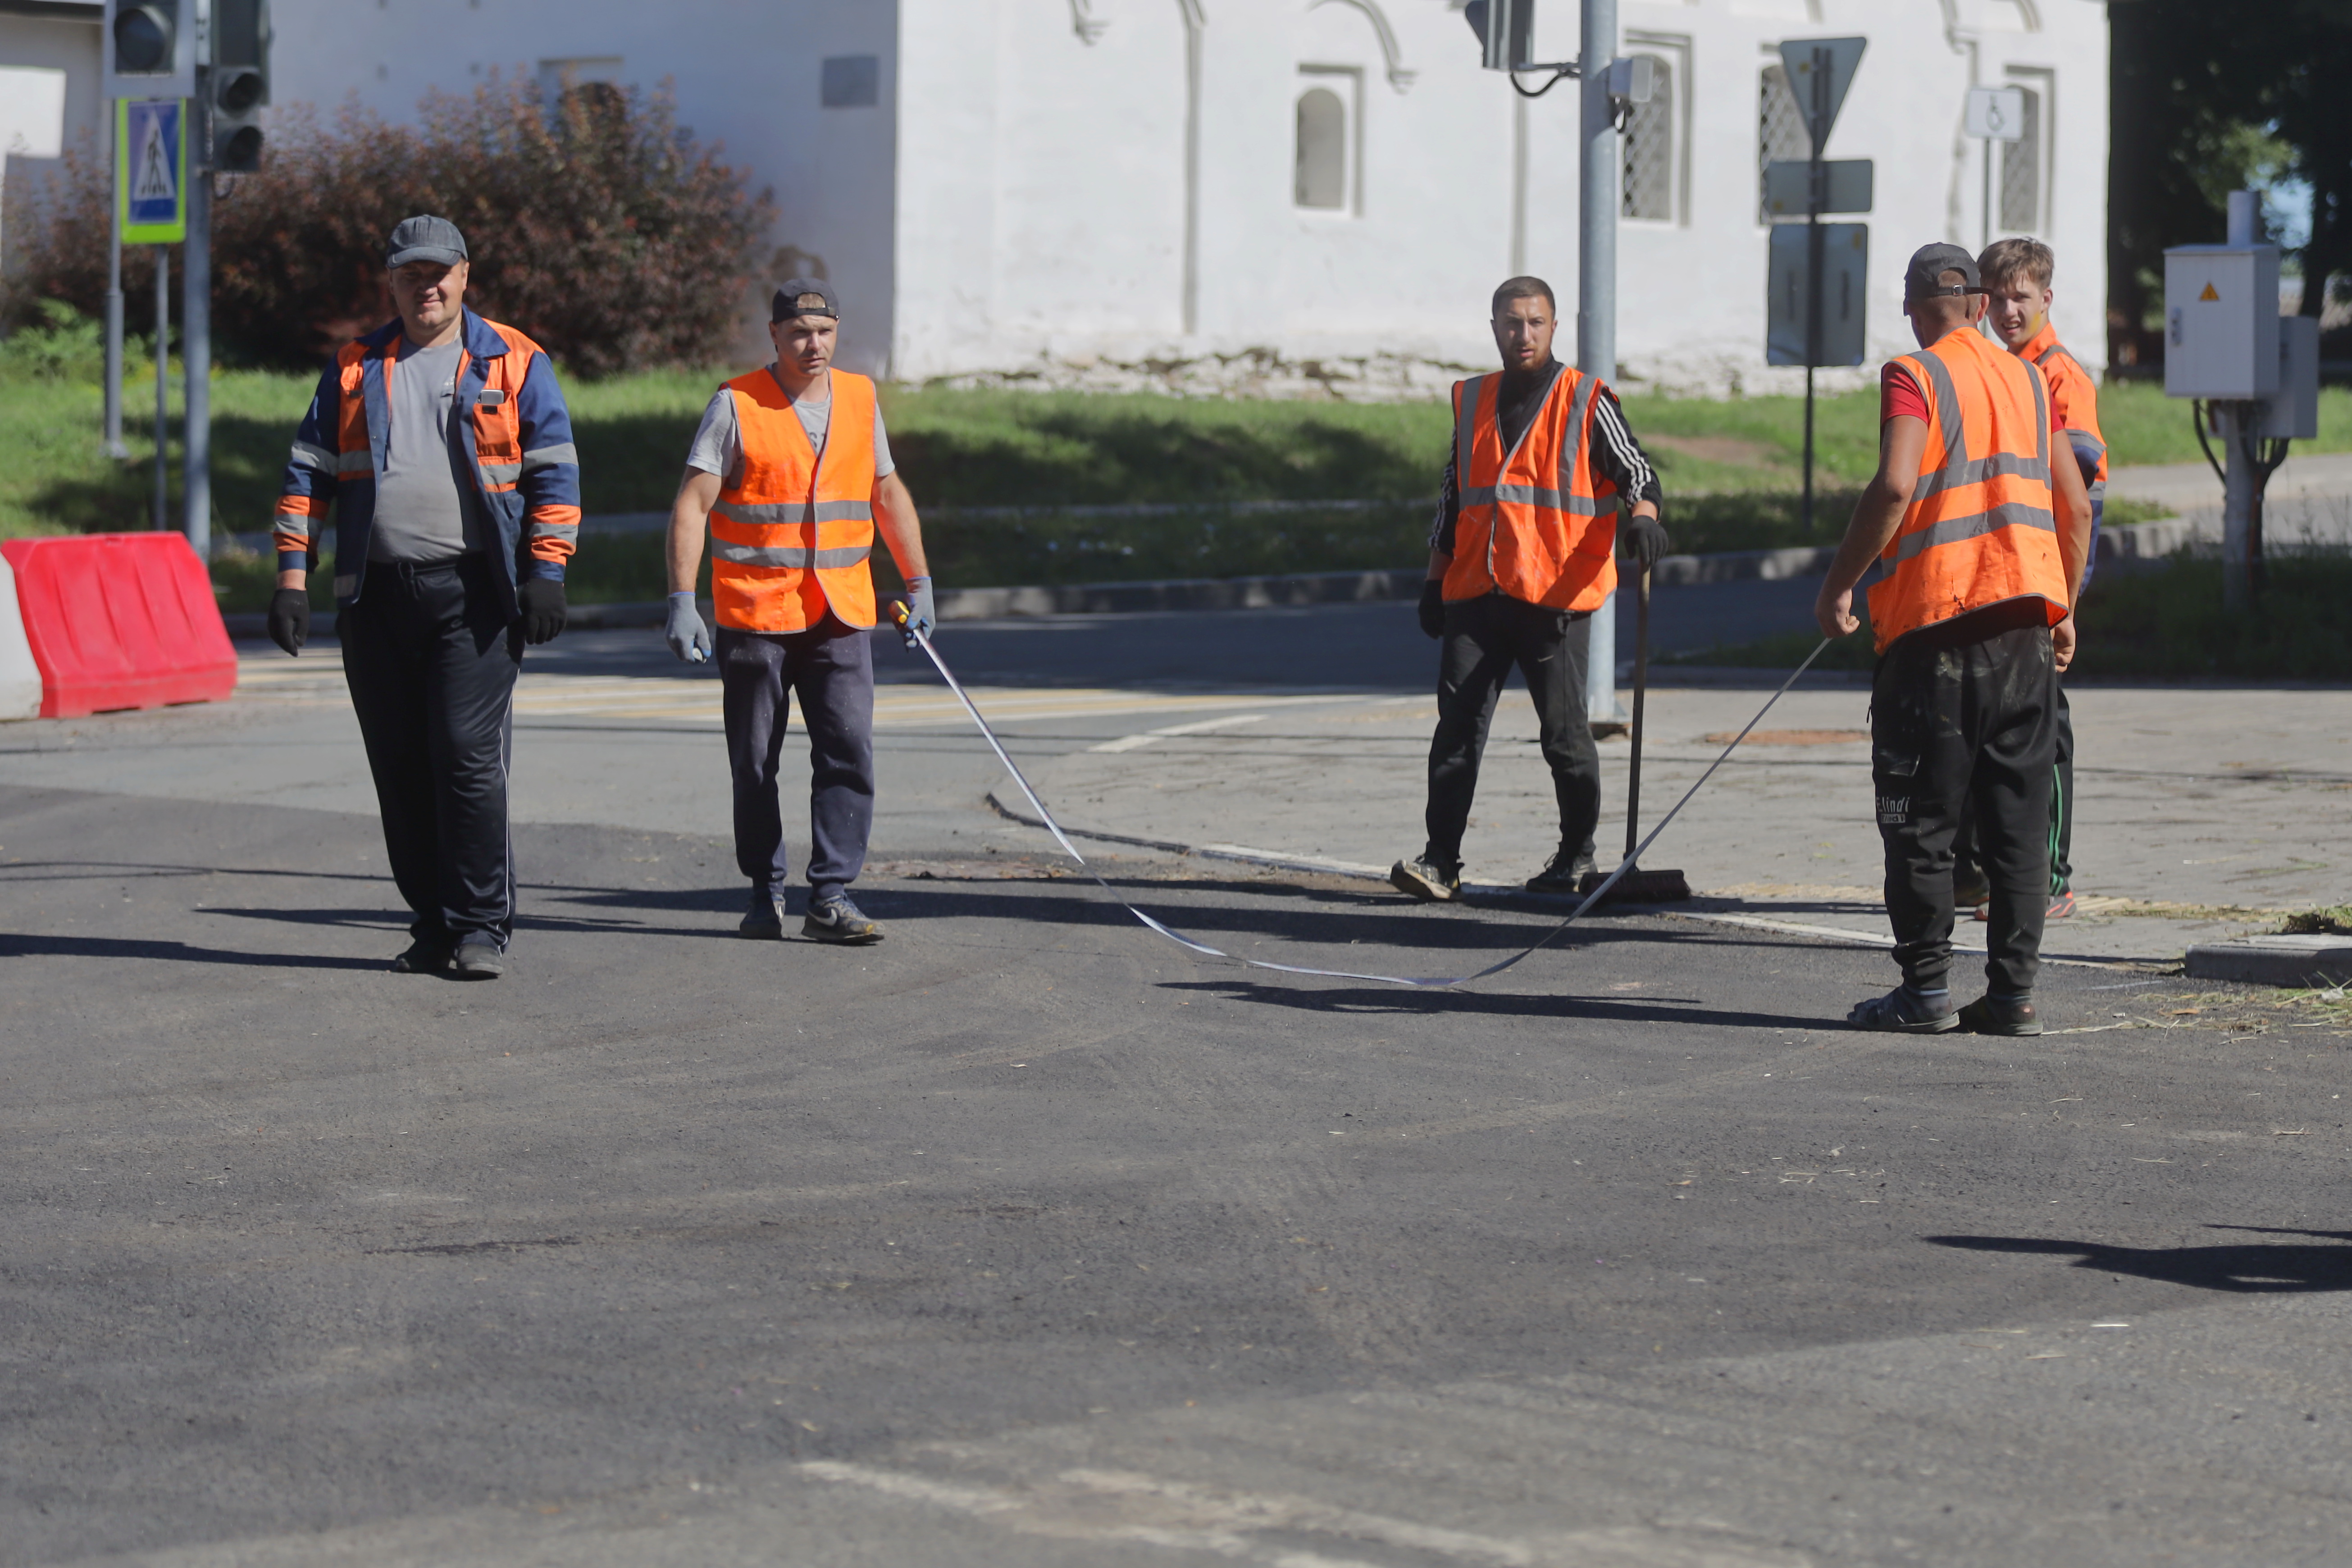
[831,669]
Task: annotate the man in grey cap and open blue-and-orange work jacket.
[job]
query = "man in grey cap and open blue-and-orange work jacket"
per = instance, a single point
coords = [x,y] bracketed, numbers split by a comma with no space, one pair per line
[443,445]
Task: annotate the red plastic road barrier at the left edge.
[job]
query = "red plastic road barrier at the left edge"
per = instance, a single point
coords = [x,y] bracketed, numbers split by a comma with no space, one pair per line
[121,622]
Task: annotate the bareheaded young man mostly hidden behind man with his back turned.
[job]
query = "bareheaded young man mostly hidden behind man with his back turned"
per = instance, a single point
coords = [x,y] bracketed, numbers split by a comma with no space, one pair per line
[2019,314]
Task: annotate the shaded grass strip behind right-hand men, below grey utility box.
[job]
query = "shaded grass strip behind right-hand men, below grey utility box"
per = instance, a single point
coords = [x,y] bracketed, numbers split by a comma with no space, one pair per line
[2158,624]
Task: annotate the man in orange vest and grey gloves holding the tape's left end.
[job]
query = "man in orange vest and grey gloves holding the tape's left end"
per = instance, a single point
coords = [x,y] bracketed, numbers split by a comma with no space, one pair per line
[791,476]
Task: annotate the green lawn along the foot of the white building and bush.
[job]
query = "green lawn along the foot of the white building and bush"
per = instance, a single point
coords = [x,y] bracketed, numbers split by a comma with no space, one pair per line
[1730,469]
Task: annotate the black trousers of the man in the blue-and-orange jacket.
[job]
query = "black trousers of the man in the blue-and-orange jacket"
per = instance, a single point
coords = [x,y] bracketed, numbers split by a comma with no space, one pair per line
[432,659]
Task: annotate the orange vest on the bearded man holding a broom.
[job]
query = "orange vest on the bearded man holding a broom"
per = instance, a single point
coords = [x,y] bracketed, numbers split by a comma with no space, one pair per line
[1535,523]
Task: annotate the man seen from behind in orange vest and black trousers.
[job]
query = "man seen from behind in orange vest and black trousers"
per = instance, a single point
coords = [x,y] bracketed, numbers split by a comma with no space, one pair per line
[1982,544]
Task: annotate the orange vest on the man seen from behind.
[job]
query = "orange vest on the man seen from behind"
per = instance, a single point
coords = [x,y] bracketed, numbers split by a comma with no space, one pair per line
[1982,525]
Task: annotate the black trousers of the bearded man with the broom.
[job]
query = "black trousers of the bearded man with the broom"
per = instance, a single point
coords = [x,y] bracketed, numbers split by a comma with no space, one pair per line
[1485,638]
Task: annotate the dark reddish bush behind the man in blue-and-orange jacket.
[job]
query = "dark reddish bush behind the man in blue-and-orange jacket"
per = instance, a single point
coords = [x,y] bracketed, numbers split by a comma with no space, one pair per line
[596,225]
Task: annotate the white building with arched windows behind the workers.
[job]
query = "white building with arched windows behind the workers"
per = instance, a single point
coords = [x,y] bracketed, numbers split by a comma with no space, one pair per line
[1281,194]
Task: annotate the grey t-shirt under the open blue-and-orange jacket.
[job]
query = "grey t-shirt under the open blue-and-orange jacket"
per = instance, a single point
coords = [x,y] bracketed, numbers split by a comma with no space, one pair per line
[427,504]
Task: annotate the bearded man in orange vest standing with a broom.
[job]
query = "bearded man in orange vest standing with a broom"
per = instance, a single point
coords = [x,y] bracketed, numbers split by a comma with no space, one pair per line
[1521,558]
